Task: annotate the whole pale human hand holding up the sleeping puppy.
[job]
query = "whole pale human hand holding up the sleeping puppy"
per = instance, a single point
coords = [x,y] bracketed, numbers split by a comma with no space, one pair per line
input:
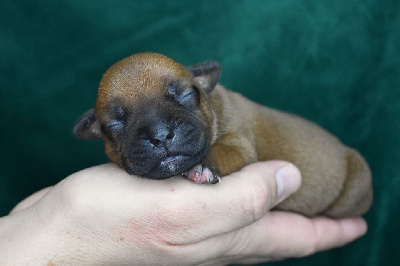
[102,215]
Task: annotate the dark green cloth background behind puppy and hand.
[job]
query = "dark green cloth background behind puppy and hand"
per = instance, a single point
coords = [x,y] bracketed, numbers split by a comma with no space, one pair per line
[336,63]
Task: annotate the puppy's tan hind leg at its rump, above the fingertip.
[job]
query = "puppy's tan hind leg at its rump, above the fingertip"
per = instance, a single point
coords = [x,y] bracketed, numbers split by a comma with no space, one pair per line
[356,196]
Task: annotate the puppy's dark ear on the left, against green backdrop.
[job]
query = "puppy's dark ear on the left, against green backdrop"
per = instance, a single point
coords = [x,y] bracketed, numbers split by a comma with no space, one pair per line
[87,127]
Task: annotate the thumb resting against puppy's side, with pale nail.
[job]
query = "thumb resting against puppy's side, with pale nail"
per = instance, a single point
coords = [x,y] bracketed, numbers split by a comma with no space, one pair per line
[240,199]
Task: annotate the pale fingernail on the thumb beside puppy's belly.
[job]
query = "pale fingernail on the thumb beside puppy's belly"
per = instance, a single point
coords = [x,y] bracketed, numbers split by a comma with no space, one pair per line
[288,180]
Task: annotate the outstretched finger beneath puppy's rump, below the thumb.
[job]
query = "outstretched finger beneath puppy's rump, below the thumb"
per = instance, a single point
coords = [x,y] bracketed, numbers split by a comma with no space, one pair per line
[280,235]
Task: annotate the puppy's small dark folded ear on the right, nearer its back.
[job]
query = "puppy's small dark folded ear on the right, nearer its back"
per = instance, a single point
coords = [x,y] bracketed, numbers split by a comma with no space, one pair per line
[206,74]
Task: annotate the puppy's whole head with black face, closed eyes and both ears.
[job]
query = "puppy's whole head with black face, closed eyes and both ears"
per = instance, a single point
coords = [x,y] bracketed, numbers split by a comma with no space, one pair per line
[153,114]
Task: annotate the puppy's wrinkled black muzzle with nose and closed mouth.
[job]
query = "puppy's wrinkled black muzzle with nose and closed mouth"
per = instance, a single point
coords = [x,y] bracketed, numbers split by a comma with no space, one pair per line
[164,148]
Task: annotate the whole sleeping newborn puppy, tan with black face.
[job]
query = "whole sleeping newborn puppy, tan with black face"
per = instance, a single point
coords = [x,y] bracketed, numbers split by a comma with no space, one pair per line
[159,119]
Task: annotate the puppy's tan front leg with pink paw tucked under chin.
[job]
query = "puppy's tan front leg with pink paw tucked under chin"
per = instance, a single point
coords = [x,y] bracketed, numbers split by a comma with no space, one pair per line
[229,154]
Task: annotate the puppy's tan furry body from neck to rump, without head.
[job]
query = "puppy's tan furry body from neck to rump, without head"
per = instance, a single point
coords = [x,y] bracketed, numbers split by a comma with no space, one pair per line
[336,180]
